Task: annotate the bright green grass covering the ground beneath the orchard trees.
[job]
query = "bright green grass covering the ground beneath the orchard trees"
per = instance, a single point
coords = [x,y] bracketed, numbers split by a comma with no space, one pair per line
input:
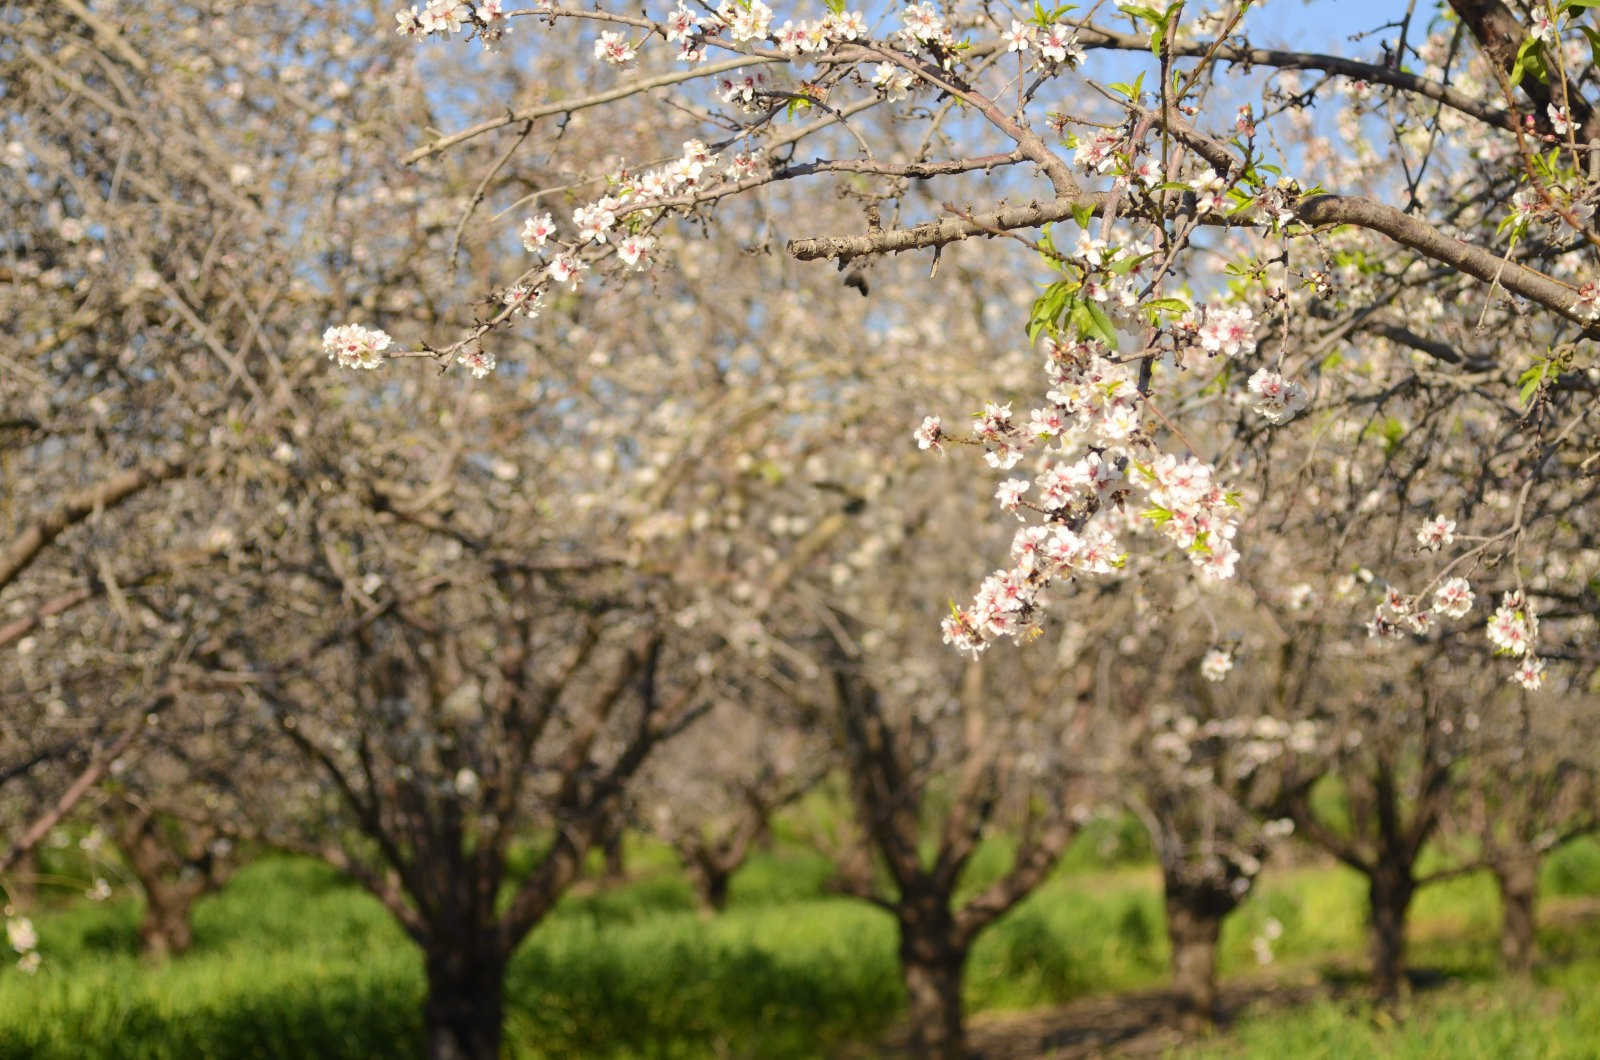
[294,963]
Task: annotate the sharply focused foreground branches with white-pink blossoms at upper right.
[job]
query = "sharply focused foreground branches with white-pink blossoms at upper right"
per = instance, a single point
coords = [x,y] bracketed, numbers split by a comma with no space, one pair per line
[1204,276]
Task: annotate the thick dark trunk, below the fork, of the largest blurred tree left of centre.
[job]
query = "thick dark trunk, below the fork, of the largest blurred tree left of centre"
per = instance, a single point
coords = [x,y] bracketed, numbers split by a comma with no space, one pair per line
[465,1005]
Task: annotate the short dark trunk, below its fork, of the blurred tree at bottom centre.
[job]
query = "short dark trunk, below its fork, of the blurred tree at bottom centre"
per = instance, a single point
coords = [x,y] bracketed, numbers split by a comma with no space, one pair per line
[934,968]
